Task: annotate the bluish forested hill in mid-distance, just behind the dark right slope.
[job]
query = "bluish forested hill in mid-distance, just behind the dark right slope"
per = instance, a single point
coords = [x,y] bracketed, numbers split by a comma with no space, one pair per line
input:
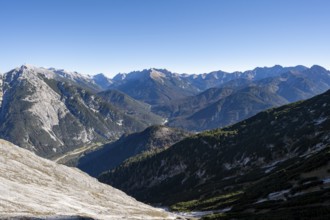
[229,110]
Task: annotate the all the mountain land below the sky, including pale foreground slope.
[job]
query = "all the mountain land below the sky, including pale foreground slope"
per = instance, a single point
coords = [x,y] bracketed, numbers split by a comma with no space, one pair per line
[225,144]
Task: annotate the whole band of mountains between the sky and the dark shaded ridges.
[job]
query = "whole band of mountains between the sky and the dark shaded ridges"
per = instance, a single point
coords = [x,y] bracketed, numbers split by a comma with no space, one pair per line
[53,111]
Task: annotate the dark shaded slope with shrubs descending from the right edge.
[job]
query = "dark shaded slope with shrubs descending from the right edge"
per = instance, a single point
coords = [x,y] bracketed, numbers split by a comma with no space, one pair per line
[269,163]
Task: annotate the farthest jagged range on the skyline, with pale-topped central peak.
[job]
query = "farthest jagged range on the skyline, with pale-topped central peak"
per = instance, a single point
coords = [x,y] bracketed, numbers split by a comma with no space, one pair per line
[159,86]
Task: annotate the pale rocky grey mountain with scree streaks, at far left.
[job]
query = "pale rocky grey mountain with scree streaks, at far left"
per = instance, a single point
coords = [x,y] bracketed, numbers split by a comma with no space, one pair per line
[50,115]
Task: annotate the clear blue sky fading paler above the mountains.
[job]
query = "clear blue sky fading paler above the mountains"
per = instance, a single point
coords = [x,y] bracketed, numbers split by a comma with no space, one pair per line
[184,36]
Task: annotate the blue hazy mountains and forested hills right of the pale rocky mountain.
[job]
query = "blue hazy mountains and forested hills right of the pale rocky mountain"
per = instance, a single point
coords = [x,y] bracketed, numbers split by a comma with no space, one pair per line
[207,101]
